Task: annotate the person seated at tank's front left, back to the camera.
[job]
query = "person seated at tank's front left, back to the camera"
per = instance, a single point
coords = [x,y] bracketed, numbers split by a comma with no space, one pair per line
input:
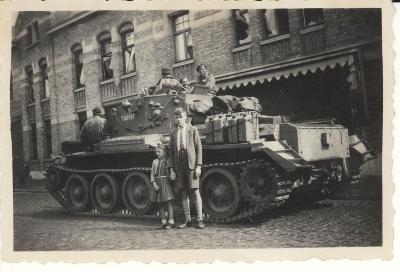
[93,130]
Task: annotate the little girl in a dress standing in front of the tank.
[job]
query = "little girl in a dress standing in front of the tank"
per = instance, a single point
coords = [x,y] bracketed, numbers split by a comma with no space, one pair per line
[162,193]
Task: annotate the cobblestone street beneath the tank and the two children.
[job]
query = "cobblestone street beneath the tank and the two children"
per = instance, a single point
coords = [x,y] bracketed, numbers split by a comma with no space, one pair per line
[40,224]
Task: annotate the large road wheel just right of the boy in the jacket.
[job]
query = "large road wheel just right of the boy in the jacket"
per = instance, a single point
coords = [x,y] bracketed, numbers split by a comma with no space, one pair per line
[220,193]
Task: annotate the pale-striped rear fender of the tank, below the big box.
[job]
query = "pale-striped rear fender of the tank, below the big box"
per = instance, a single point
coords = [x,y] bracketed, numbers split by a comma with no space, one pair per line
[280,153]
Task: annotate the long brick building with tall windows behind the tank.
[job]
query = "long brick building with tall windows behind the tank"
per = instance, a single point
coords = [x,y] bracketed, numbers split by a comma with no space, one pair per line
[313,63]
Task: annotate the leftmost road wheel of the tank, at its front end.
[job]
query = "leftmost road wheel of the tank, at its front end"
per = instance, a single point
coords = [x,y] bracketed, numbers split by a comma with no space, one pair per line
[77,192]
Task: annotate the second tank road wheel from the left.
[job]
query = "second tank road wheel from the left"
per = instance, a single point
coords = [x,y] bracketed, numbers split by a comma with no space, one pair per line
[104,192]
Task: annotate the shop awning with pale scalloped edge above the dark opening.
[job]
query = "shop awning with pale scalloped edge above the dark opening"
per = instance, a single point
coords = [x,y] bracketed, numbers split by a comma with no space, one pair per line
[285,70]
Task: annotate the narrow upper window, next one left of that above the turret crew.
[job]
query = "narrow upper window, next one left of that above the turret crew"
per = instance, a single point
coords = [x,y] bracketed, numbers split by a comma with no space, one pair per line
[128,48]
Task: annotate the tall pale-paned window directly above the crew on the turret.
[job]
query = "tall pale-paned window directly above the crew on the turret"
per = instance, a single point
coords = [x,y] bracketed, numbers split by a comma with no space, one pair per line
[183,37]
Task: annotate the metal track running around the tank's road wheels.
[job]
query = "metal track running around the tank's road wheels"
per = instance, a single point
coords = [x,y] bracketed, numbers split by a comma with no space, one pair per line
[256,208]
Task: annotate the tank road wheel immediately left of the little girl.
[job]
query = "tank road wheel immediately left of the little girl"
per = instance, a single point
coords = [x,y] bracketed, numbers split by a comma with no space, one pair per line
[136,190]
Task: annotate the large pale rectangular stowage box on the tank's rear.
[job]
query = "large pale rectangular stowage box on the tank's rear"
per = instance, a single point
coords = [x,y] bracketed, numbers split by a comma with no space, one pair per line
[316,141]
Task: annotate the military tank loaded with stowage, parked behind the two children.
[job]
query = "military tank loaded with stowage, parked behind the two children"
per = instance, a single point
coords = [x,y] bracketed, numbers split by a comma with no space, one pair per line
[251,162]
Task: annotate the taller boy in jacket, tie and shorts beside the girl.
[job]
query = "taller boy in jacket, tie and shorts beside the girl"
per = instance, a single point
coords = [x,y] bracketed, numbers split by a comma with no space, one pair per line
[185,164]
